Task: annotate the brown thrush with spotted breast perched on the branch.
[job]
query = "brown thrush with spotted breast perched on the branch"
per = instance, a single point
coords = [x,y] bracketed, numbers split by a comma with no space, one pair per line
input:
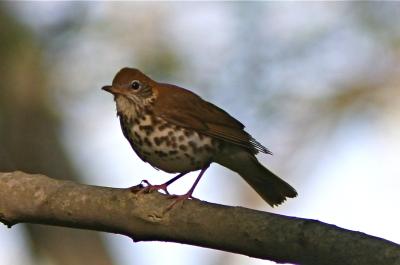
[176,131]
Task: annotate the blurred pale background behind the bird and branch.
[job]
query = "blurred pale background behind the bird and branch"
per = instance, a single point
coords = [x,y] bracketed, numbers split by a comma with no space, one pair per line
[317,83]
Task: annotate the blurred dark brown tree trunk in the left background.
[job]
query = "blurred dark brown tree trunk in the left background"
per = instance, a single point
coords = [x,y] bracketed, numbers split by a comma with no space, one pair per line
[28,124]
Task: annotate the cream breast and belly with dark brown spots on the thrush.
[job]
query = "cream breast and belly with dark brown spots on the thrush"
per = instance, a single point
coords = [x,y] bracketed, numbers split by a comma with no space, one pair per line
[165,146]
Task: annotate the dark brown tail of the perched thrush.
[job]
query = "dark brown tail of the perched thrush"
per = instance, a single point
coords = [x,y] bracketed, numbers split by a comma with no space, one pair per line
[269,186]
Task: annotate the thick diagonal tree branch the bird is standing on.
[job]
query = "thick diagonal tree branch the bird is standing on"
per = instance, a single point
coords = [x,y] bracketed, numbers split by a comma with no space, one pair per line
[26,198]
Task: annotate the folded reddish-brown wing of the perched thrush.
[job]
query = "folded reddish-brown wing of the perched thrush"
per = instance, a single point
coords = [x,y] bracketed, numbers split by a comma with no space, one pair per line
[184,108]
